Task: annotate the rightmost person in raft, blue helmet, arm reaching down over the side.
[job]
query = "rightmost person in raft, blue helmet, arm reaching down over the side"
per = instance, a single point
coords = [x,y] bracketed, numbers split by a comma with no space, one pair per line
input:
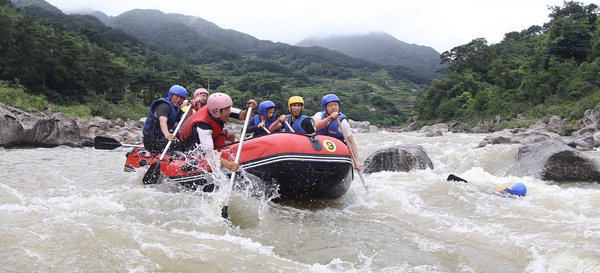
[326,123]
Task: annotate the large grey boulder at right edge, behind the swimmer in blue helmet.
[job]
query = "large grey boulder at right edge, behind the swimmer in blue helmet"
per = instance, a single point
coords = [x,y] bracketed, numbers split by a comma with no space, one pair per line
[553,160]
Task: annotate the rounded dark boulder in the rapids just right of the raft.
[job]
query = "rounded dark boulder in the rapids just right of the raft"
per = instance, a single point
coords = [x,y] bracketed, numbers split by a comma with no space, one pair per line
[401,158]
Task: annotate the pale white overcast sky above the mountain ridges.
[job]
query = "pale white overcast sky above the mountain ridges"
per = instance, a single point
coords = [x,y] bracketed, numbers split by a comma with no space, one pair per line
[441,24]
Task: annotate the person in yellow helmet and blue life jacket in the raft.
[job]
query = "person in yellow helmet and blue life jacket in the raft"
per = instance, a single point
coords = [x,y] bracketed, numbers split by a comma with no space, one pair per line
[301,124]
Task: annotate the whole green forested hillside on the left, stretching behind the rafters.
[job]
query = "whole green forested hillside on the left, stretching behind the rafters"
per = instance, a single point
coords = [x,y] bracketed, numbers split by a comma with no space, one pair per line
[73,60]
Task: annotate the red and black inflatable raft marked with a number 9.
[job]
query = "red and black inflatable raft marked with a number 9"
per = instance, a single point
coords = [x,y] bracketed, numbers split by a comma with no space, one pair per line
[301,166]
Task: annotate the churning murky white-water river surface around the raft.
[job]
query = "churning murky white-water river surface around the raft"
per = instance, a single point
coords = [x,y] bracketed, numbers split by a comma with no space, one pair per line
[76,210]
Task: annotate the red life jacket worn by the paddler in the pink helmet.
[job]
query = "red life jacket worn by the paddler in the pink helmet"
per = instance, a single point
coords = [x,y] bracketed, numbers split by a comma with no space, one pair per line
[202,116]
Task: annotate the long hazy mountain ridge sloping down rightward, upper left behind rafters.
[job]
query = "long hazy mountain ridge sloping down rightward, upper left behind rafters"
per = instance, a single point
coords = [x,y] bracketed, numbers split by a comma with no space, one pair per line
[201,42]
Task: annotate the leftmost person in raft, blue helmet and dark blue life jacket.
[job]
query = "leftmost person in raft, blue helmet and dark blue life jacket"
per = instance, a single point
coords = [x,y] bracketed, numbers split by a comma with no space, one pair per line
[162,120]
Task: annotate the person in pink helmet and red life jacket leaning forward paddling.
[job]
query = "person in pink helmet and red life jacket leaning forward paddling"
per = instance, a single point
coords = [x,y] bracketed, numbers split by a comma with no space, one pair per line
[204,128]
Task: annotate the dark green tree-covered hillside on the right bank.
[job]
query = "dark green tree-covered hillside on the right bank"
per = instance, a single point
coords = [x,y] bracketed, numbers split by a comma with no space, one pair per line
[541,71]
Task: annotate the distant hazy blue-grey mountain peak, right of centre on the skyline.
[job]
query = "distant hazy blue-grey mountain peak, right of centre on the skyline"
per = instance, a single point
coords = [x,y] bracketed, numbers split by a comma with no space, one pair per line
[383,49]
